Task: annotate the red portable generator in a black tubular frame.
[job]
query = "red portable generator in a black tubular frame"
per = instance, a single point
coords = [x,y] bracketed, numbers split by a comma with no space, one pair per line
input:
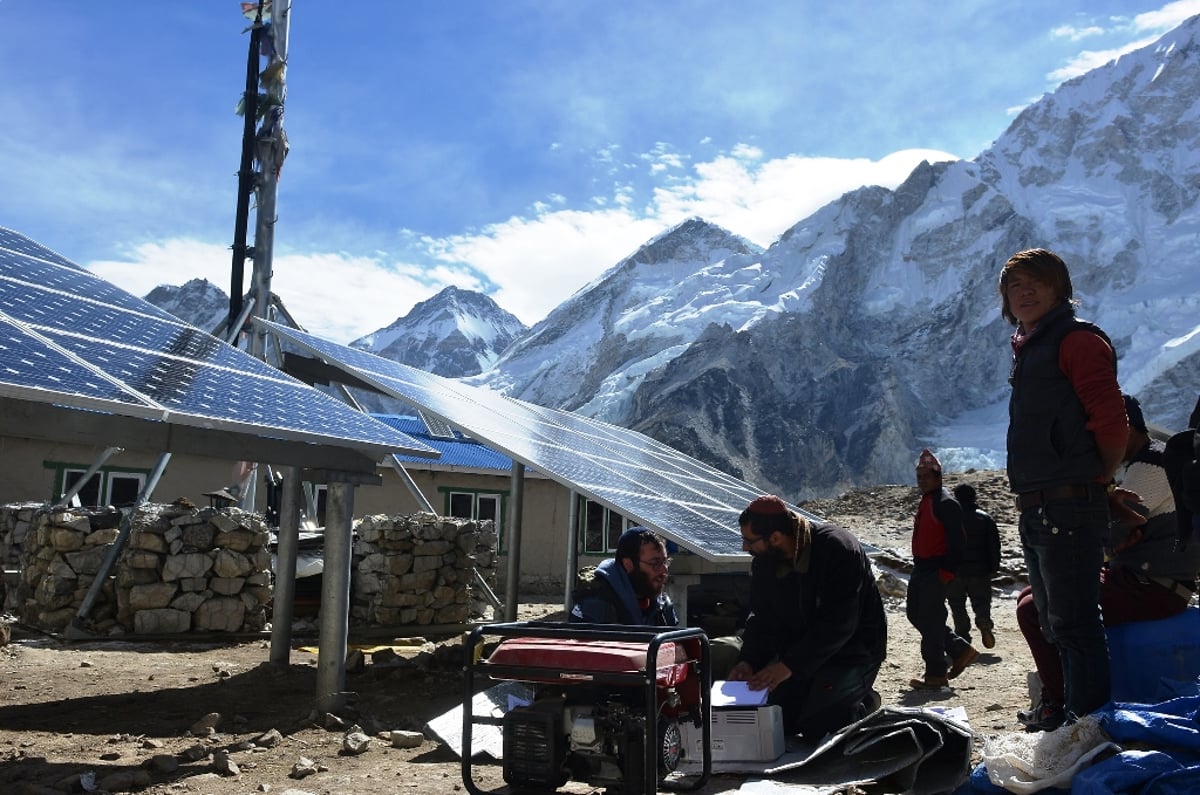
[607,708]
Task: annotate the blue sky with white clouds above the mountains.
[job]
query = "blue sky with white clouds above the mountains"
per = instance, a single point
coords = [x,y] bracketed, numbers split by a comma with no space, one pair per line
[518,148]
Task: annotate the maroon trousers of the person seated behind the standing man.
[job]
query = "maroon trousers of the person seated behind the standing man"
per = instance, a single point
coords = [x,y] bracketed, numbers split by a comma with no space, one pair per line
[1124,599]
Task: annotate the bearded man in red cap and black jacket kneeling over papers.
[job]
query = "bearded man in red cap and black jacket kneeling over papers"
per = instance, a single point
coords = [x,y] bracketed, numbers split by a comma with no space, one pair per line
[817,635]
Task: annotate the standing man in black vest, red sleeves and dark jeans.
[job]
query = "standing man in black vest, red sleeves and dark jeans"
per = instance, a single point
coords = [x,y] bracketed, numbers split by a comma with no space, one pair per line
[1067,434]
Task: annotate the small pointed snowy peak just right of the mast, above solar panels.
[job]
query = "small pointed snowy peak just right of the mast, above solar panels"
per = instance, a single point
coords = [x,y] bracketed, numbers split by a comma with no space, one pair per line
[457,333]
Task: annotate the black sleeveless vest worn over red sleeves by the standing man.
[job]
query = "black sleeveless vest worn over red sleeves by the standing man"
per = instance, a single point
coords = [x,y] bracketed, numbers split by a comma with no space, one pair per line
[1049,444]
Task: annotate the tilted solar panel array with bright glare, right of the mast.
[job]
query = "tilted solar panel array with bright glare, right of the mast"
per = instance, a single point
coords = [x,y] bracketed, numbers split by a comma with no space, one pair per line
[688,501]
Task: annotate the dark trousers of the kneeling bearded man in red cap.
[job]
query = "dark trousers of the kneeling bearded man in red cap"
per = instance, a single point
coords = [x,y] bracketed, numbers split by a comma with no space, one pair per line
[831,701]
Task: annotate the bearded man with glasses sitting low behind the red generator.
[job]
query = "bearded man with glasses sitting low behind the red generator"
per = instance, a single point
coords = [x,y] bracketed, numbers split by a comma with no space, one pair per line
[628,588]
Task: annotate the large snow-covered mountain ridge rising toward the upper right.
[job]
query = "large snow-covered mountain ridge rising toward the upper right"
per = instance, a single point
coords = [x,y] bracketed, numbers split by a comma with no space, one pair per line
[873,327]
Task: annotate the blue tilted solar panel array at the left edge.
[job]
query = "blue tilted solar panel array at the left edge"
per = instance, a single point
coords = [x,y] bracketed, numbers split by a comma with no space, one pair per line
[73,339]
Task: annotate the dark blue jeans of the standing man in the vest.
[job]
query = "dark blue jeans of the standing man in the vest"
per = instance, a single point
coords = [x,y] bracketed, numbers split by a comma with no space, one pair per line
[1064,551]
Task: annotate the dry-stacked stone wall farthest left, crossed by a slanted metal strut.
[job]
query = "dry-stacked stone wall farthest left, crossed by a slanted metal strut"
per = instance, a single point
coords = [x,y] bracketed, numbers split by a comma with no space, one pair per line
[182,570]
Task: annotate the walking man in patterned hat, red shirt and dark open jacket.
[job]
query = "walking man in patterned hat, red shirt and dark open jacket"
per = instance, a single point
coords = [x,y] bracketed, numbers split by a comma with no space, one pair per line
[938,542]
